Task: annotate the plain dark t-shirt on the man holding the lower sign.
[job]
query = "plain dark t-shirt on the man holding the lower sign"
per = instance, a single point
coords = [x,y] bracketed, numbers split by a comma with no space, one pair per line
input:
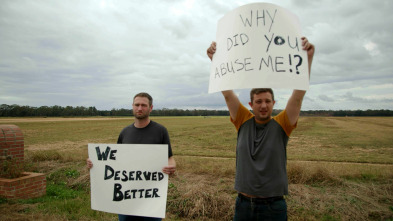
[153,133]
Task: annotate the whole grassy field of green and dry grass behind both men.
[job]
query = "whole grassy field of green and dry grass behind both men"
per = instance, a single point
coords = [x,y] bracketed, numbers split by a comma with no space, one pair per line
[338,168]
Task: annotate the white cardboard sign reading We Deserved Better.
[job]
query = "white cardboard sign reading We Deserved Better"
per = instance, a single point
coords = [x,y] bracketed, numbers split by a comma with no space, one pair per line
[128,179]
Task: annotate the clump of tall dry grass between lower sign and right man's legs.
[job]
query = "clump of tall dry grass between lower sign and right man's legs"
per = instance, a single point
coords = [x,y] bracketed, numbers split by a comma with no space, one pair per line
[198,197]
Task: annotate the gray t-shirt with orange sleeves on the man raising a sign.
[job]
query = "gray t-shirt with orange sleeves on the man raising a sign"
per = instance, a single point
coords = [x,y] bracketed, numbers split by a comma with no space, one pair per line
[261,155]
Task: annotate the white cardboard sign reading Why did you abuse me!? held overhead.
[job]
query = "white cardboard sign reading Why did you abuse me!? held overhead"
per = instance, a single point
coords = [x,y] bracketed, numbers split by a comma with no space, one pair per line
[259,45]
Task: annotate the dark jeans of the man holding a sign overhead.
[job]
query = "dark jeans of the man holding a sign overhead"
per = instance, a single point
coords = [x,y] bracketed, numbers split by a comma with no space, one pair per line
[247,210]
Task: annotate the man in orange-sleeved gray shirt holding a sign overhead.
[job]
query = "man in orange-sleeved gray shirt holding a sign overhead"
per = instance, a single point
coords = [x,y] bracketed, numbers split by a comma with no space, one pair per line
[261,176]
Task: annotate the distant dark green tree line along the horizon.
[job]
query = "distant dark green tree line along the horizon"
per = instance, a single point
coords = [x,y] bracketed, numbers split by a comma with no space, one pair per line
[69,111]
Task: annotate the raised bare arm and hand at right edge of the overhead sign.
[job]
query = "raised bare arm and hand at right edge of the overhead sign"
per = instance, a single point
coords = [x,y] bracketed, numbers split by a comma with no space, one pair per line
[295,101]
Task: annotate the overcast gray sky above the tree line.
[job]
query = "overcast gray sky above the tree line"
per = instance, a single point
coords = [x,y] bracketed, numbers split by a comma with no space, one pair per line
[100,53]
